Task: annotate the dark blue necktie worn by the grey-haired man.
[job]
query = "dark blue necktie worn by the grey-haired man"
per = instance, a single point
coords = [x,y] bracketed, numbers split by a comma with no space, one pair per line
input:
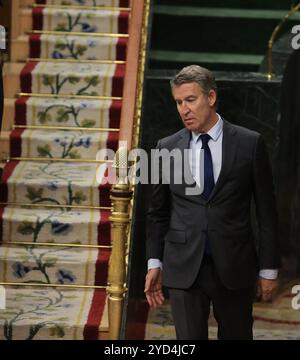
[209,181]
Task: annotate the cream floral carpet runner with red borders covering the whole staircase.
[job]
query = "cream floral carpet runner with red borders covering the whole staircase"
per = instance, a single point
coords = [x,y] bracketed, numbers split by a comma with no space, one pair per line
[60,312]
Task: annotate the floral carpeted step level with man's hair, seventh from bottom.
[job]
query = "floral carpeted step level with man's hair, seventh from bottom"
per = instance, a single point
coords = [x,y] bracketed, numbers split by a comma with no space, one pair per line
[83,79]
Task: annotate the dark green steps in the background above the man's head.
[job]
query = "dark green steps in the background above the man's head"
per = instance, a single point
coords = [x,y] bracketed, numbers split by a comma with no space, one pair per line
[216,34]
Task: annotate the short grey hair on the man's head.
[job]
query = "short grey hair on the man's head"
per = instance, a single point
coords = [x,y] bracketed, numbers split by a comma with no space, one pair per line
[195,73]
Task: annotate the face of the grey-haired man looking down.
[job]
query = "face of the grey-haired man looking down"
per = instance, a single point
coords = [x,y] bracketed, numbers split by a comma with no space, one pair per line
[194,106]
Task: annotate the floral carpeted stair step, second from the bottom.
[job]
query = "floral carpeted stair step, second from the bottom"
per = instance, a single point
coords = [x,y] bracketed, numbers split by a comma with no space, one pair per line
[54,265]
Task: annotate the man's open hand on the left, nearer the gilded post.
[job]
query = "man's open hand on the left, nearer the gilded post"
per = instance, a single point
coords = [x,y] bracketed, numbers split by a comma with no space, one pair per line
[153,287]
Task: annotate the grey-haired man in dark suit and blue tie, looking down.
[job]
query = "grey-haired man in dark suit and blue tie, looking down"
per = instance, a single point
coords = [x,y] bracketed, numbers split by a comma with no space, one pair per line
[200,244]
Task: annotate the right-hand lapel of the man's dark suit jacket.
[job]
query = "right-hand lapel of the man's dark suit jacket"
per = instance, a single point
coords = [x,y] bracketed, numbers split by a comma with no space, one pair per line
[229,147]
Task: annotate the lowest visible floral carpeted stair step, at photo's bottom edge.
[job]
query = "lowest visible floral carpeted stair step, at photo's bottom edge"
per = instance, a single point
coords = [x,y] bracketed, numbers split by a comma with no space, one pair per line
[53,314]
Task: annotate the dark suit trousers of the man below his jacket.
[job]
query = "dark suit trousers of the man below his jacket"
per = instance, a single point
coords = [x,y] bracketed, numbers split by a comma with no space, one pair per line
[232,308]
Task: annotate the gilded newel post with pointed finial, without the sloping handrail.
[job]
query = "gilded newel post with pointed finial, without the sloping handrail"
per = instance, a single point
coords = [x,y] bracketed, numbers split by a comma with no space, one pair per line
[121,195]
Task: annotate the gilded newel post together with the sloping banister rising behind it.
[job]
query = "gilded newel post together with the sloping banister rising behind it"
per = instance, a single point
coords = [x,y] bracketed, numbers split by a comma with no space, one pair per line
[122,194]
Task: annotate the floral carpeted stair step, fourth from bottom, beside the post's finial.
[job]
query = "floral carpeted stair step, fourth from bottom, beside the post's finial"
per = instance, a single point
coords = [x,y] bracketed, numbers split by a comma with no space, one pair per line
[56,183]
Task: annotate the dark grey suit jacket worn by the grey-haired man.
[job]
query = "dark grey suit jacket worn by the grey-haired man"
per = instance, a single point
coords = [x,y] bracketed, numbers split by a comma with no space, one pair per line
[176,221]
